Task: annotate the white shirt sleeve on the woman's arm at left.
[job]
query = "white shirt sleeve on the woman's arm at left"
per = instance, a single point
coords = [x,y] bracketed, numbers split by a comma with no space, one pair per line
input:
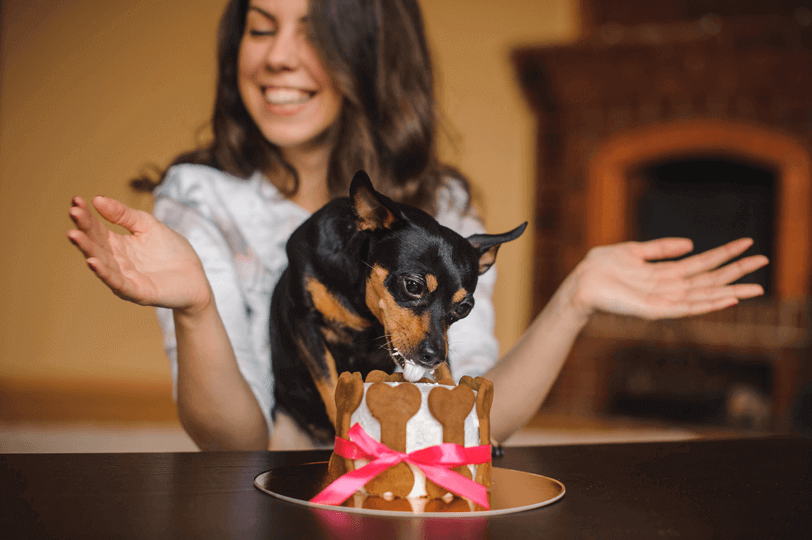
[187,206]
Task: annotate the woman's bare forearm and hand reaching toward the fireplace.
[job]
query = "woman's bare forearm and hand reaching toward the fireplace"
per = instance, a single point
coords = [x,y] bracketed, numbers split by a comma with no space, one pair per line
[619,279]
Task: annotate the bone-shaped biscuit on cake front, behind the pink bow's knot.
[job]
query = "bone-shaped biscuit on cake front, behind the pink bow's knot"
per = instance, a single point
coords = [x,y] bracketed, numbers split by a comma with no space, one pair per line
[393,406]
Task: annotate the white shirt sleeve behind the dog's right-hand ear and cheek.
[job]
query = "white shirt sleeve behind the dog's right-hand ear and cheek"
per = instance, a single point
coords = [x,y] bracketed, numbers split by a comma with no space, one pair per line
[472,345]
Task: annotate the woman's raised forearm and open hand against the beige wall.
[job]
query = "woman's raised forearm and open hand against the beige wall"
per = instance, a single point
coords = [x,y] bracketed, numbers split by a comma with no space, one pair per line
[157,266]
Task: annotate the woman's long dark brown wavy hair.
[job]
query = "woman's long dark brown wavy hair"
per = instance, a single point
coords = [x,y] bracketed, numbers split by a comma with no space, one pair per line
[379,58]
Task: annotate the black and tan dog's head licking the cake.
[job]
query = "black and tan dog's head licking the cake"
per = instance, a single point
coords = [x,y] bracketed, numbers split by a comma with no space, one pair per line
[422,276]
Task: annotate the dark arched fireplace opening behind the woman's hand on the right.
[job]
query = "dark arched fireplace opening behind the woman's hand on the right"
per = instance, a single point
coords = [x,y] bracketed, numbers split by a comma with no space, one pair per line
[711,200]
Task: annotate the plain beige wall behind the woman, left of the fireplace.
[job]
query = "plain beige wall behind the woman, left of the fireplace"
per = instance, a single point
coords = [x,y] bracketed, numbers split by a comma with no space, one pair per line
[93,90]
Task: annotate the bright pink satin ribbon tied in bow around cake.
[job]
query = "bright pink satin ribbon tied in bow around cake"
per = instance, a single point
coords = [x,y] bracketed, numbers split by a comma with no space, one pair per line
[434,461]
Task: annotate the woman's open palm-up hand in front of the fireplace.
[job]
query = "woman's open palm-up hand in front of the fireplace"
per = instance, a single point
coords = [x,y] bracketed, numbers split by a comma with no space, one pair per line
[623,279]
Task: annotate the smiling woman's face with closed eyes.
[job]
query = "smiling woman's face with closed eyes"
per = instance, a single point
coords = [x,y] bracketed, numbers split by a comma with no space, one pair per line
[281,78]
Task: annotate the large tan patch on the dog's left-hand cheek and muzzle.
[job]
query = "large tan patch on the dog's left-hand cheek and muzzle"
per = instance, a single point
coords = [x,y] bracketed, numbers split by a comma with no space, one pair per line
[404,329]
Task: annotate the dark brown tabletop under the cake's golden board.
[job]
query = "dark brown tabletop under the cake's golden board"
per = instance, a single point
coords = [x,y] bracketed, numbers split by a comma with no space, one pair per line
[744,488]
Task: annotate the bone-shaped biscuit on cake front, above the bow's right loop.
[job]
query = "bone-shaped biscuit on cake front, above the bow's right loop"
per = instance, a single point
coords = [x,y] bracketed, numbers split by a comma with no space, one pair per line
[450,408]
